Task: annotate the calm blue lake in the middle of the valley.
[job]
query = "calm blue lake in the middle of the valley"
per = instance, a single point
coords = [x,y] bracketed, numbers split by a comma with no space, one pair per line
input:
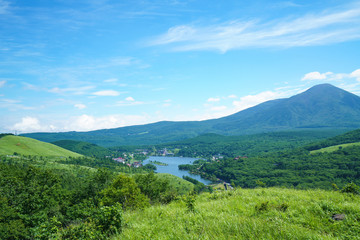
[172,168]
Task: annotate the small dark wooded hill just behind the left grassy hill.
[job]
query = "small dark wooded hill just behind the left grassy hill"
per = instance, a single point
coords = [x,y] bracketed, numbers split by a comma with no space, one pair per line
[84,148]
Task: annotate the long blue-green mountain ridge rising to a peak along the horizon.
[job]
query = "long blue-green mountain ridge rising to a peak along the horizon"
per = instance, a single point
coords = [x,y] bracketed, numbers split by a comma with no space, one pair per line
[322,106]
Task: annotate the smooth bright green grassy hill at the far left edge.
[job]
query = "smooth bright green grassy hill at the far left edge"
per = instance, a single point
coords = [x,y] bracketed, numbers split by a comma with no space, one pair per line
[11,144]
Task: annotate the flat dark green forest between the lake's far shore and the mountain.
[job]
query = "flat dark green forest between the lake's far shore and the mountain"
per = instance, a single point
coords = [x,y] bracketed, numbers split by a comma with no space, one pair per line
[209,145]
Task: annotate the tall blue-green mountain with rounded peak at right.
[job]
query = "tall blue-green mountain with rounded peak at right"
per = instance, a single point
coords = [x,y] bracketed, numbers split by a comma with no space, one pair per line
[319,107]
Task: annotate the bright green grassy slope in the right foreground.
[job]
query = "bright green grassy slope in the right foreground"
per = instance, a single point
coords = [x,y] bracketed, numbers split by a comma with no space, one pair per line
[264,213]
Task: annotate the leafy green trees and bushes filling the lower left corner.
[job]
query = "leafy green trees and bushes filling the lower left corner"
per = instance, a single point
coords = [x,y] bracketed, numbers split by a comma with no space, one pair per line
[75,203]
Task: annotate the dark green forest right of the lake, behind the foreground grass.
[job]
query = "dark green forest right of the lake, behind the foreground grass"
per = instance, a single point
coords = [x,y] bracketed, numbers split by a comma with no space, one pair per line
[294,169]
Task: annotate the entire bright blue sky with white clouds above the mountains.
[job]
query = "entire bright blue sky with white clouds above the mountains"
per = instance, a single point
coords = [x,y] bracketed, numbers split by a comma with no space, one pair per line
[83,65]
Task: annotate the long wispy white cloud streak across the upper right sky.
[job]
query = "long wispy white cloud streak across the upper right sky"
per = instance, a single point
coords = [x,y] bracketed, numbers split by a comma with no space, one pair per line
[330,26]
